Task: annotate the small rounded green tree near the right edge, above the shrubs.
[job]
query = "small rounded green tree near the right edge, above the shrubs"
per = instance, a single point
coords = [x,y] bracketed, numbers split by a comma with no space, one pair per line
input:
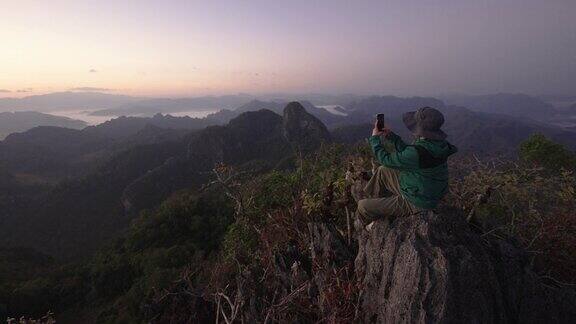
[541,151]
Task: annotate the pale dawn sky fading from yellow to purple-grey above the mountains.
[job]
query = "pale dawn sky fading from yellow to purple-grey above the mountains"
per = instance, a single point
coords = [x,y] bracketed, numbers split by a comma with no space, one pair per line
[183,48]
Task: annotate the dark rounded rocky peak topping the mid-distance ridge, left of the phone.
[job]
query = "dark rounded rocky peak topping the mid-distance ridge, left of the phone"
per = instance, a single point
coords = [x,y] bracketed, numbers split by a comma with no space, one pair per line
[303,129]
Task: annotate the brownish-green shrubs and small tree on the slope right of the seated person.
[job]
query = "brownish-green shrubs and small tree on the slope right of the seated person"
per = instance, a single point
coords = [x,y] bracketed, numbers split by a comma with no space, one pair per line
[534,205]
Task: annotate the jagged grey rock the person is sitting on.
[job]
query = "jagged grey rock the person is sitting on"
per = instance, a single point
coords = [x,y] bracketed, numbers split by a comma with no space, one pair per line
[435,269]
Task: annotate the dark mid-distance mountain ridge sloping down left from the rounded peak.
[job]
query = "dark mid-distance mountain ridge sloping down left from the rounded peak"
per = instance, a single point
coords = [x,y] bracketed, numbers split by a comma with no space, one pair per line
[105,200]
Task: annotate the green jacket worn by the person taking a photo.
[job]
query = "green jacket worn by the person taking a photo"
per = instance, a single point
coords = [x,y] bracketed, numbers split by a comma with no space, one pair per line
[422,165]
